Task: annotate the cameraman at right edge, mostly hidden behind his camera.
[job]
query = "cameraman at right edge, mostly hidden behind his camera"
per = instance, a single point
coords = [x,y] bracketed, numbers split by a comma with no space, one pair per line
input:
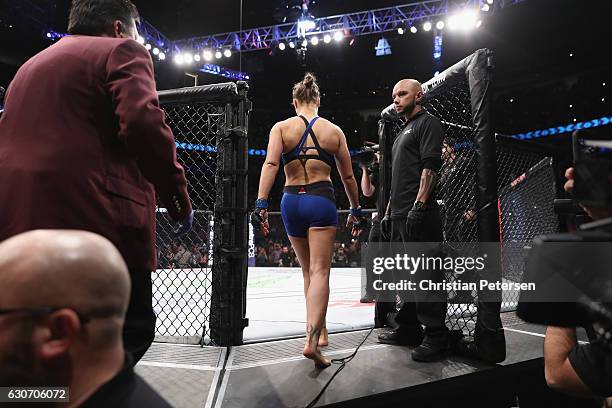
[582,370]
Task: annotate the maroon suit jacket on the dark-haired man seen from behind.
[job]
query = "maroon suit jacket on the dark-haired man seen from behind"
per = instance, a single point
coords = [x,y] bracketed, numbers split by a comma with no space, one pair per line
[84,145]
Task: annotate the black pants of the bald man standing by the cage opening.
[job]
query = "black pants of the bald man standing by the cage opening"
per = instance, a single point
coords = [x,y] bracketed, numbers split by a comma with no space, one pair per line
[429,311]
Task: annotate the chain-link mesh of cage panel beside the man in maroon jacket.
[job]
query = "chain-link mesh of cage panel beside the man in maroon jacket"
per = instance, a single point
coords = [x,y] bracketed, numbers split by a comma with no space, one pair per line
[202,119]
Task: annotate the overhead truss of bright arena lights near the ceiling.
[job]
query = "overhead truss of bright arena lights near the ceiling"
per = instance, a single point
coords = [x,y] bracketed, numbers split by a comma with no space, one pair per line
[429,15]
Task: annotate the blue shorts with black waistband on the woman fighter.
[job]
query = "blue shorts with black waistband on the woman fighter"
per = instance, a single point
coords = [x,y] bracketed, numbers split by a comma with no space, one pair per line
[306,206]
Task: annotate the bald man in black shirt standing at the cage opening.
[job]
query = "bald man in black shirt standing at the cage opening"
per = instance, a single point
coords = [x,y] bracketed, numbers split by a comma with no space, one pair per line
[413,215]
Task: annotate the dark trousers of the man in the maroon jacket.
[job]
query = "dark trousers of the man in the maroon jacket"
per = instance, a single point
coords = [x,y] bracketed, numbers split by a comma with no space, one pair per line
[139,327]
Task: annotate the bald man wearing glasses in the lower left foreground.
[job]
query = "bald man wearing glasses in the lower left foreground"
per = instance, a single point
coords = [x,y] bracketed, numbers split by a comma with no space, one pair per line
[63,301]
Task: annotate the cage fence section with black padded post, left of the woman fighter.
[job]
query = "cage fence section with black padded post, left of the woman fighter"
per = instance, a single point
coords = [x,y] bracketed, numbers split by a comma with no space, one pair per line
[199,288]
